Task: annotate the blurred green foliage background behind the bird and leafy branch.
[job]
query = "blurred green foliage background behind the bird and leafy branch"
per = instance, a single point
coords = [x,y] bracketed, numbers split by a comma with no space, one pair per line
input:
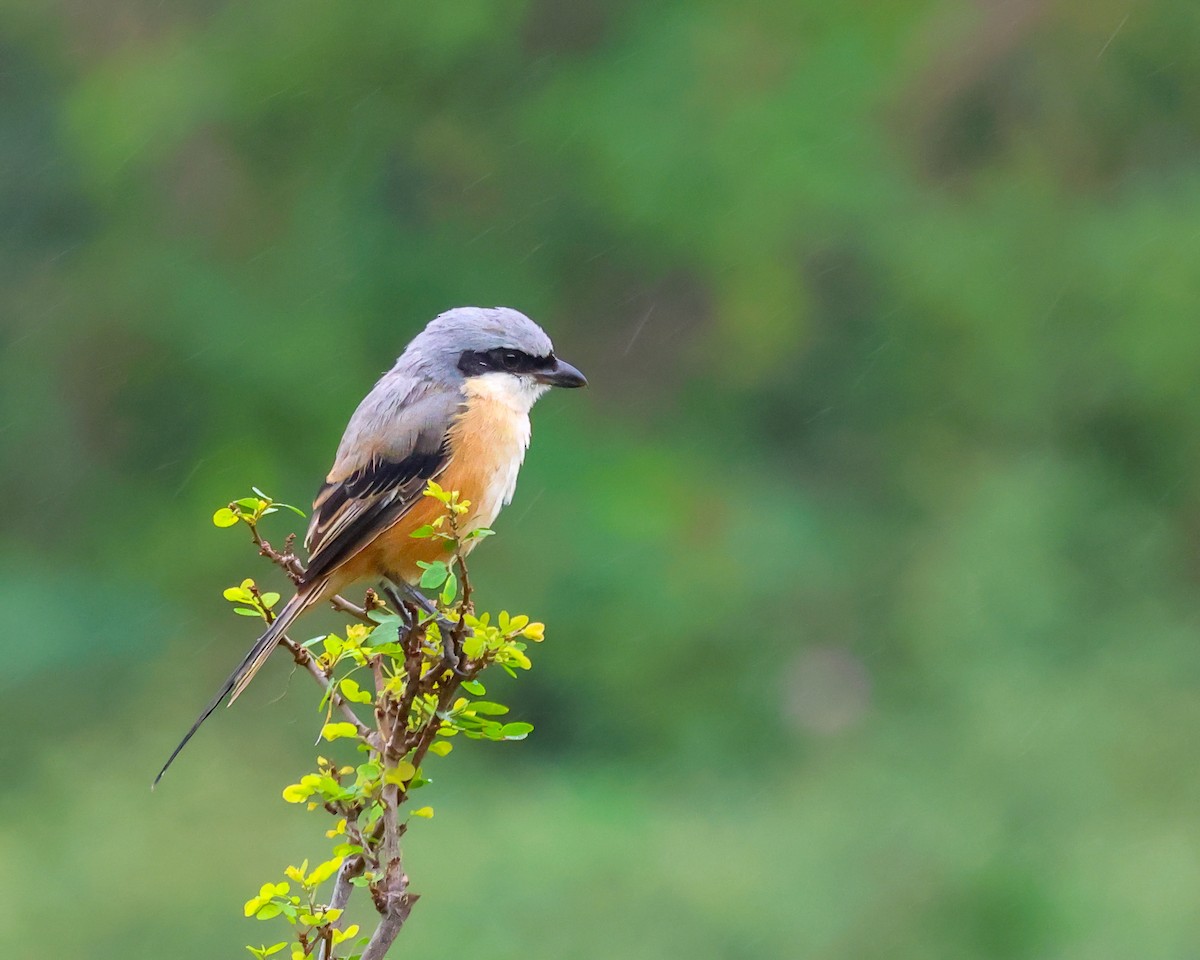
[869,557]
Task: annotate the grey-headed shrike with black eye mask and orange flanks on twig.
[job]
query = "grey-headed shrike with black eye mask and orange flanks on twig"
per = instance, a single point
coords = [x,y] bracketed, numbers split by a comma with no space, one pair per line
[454,410]
